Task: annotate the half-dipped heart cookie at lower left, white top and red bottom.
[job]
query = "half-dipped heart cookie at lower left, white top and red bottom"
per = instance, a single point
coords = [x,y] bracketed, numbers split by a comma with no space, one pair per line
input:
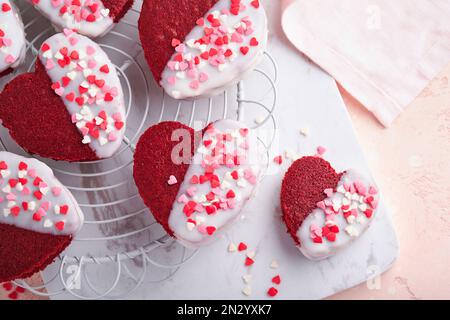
[38,217]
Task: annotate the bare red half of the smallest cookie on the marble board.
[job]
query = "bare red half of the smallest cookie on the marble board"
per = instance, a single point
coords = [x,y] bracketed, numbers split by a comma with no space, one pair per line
[301,189]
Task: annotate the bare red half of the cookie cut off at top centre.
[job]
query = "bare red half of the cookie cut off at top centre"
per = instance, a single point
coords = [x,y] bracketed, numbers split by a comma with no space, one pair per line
[162,21]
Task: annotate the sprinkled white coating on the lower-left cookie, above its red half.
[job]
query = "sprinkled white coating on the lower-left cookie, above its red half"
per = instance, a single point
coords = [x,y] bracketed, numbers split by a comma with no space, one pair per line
[32,198]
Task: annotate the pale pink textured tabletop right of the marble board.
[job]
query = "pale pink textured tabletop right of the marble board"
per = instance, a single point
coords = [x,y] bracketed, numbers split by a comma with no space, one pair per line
[411,162]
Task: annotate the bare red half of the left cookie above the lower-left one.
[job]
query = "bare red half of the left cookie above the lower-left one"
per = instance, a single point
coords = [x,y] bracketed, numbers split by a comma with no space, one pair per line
[38,120]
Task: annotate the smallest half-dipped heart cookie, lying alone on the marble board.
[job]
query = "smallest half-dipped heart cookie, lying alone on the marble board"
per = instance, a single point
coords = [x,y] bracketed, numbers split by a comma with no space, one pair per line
[323,210]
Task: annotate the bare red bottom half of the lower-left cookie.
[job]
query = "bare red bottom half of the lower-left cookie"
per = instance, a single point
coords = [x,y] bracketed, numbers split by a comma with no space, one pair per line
[24,252]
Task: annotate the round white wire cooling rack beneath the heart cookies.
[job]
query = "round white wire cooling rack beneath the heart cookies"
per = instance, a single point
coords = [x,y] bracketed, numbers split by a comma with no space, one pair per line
[121,246]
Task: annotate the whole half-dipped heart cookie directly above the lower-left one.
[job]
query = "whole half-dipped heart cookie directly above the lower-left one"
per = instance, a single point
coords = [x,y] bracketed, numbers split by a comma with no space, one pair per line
[71,107]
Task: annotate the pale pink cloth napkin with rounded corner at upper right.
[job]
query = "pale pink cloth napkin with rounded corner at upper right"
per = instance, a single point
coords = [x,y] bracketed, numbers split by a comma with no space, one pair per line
[383,52]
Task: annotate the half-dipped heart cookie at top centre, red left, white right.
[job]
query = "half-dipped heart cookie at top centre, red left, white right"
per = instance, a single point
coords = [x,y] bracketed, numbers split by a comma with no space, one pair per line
[199,48]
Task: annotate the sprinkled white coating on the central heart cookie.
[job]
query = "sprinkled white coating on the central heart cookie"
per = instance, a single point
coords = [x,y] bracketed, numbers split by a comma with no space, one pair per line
[192,230]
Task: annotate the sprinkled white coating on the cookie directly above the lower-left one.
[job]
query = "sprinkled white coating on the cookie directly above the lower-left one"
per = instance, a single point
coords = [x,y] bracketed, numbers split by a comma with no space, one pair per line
[88,84]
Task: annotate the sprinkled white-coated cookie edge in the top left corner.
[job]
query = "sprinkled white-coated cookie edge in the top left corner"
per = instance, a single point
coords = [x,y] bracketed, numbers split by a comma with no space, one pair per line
[12,37]
